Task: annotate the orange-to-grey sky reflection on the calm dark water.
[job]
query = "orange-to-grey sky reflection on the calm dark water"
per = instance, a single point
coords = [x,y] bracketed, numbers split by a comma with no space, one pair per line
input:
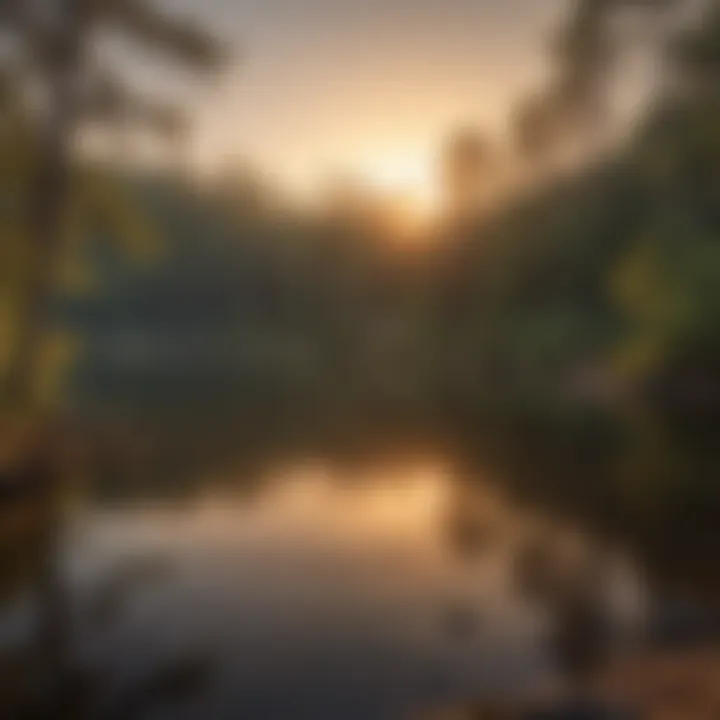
[328,592]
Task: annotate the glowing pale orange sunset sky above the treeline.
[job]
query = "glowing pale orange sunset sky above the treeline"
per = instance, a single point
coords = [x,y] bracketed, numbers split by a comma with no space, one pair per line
[368,87]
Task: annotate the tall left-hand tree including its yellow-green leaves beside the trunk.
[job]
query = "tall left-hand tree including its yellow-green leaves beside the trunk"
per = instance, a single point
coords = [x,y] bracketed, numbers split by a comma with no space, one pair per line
[40,170]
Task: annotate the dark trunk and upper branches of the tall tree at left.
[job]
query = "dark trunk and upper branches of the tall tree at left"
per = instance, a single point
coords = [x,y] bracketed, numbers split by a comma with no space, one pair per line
[55,42]
